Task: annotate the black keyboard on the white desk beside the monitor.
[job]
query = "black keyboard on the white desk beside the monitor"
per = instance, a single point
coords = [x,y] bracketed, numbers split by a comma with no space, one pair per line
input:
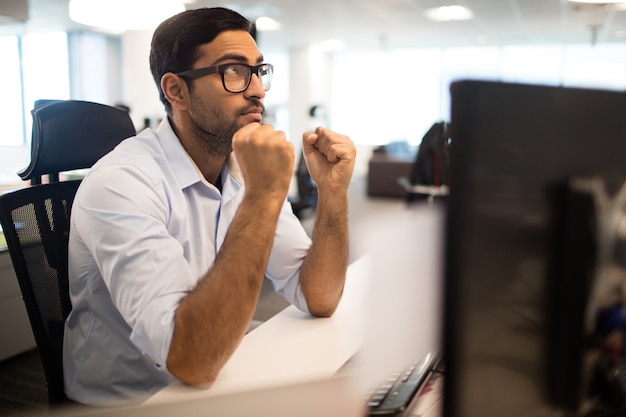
[393,396]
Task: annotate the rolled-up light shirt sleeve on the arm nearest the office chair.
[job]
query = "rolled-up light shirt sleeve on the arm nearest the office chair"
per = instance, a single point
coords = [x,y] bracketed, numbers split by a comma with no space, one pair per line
[141,263]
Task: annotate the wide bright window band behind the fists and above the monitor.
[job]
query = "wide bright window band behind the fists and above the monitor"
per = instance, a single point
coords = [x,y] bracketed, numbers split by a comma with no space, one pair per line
[384,96]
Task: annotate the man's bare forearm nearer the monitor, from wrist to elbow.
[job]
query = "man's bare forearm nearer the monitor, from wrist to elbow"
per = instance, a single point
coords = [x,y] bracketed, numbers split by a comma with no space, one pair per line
[323,272]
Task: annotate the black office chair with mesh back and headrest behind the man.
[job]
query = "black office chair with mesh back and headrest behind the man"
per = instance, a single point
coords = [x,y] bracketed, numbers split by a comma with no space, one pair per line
[67,135]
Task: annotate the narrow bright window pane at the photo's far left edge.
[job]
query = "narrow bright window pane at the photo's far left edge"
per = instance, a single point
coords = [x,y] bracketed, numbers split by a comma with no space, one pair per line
[10,105]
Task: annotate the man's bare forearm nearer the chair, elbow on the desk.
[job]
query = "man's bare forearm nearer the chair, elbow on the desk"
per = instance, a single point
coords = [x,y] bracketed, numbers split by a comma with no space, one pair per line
[212,319]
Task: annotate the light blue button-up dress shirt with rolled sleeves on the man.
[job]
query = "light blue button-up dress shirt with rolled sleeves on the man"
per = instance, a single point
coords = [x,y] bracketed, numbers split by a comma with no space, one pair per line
[145,227]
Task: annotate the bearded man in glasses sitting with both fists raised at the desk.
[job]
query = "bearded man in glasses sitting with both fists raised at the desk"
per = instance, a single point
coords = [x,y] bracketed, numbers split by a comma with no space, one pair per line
[174,231]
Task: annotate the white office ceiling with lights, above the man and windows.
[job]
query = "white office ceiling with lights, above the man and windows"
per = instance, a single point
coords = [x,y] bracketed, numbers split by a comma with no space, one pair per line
[395,23]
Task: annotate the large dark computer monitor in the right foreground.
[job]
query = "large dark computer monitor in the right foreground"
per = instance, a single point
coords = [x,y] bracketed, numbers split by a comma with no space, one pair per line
[533,171]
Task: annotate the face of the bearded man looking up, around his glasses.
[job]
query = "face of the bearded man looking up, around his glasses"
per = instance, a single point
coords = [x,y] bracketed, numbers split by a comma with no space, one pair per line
[216,113]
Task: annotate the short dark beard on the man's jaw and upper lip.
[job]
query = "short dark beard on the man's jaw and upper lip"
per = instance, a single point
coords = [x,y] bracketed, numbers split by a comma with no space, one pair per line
[214,129]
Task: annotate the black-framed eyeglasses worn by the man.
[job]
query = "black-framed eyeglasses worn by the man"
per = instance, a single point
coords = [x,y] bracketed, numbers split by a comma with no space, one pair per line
[235,77]
